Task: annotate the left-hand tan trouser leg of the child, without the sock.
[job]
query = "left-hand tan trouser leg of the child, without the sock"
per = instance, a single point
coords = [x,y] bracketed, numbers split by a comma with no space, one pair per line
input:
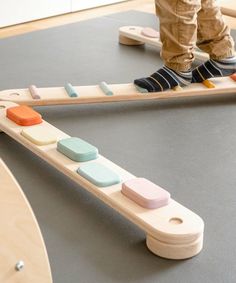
[178,31]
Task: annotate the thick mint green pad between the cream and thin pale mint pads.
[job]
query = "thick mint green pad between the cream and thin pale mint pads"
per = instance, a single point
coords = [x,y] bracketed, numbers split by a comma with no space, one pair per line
[77,149]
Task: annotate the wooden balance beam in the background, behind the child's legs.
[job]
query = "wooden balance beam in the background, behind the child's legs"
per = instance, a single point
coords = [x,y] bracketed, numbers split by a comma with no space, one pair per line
[133,35]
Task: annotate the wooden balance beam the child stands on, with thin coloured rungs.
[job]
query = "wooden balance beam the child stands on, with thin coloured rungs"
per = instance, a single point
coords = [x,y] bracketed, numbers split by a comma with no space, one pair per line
[120,92]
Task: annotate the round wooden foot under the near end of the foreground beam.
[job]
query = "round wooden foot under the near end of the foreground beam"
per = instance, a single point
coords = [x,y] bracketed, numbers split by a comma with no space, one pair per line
[174,251]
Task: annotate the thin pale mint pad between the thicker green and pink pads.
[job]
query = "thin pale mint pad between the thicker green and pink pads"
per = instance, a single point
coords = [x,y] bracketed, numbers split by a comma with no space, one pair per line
[98,174]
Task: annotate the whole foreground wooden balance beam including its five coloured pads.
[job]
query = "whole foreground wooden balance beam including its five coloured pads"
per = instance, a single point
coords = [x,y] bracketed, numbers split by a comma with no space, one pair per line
[172,231]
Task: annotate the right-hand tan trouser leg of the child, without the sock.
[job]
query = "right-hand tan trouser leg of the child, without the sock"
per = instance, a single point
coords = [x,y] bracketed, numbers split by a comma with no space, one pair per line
[213,34]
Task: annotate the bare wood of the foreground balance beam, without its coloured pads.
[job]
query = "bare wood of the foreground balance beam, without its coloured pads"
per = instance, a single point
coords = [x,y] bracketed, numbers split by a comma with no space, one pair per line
[173,231]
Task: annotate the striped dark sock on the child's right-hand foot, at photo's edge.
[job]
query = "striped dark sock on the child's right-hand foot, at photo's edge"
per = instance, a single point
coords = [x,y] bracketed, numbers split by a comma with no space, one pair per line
[214,68]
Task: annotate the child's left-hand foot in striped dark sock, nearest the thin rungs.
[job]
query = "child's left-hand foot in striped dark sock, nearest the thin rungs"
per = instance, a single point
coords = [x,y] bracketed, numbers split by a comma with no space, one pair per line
[163,79]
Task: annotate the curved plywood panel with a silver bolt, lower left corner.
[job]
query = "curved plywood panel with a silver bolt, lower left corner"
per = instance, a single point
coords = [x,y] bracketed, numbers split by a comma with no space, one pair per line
[23,254]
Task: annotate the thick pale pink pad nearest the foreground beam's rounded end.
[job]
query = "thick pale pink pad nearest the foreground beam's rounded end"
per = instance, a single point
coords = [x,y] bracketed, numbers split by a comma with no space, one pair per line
[145,193]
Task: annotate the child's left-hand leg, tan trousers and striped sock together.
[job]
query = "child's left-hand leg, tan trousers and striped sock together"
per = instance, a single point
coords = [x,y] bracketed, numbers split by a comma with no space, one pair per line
[178,33]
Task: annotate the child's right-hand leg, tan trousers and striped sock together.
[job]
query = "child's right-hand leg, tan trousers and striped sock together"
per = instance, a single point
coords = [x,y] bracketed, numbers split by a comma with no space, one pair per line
[214,38]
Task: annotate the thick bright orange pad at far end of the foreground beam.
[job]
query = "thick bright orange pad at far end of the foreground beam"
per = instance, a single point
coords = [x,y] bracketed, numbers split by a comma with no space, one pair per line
[24,115]
